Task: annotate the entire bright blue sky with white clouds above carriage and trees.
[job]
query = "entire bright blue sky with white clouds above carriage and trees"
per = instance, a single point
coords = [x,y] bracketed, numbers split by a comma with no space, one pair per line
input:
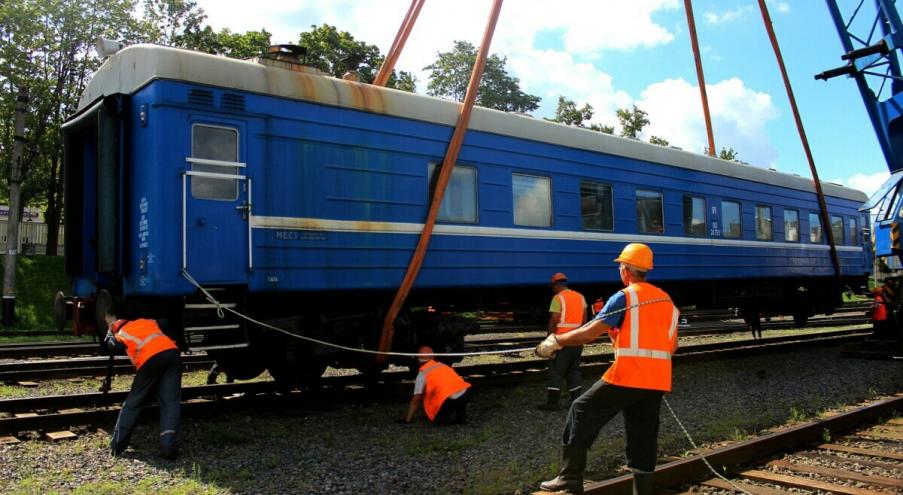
[613,53]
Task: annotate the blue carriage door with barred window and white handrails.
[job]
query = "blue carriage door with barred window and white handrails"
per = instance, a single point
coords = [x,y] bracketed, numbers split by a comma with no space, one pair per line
[216,207]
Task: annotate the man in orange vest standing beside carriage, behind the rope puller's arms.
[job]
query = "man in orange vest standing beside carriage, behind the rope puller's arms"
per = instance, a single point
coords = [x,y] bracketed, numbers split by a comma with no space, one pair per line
[566,313]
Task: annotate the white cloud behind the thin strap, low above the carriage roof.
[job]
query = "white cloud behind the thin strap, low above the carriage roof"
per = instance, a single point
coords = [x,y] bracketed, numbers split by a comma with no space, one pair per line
[739,115]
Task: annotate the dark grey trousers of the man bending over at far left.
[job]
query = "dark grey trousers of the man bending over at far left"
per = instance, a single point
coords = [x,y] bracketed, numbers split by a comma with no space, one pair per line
[161,375]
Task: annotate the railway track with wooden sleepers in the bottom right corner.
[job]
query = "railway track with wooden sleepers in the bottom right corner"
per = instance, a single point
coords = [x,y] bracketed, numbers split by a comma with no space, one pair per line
[798,459]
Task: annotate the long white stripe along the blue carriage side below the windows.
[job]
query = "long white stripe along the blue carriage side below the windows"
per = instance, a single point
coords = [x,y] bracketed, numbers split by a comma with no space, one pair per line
[325,225]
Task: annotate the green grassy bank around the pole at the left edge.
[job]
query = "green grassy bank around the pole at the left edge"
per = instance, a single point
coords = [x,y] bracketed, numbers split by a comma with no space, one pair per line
[38,278]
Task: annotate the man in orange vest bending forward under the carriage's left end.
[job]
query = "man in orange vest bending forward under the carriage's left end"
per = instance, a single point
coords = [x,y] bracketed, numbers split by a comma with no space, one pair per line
[159,372]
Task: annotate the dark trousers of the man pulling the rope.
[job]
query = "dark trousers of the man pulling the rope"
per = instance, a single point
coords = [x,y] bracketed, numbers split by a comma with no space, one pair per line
[592,410]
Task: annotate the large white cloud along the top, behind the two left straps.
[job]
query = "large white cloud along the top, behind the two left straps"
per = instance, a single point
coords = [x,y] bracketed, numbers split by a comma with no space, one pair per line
[600,26]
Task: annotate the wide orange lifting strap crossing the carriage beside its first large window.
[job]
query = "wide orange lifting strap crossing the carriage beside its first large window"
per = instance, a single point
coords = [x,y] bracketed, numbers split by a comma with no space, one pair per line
[451,156]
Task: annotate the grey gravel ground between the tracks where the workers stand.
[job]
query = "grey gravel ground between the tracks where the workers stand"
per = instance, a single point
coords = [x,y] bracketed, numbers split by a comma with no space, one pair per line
[506,447]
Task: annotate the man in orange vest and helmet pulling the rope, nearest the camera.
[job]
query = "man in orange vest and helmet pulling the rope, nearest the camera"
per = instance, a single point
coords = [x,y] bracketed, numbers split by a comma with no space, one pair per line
[634,384]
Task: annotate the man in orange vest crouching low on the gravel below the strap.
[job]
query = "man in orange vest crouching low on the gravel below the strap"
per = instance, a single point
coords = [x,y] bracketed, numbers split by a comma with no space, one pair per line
[441,390]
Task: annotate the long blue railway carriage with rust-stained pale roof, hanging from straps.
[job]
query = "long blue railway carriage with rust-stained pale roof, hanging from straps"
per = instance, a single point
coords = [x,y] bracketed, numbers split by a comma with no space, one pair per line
[298,198]
